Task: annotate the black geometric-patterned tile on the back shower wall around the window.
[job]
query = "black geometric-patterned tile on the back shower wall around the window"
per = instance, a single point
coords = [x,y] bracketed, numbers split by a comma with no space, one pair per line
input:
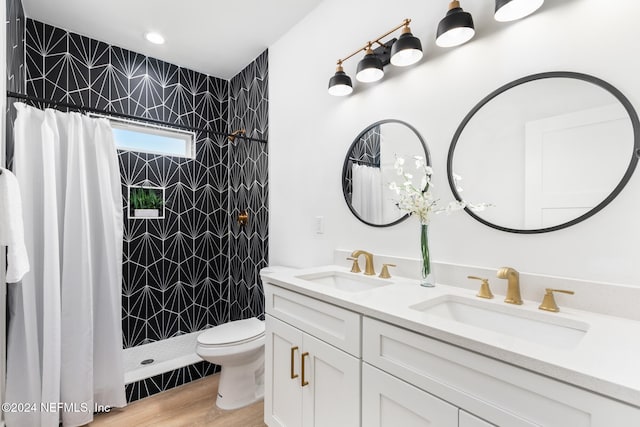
[172,281]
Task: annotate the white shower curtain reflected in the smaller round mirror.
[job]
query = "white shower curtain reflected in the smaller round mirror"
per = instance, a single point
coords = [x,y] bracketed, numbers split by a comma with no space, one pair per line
[366,197]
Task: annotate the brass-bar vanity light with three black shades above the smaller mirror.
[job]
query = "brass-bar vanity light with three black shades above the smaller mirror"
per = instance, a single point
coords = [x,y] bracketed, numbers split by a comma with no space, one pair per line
[405,50]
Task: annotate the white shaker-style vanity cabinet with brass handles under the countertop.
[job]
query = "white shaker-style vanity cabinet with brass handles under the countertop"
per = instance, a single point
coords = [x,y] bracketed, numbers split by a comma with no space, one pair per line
[329,366]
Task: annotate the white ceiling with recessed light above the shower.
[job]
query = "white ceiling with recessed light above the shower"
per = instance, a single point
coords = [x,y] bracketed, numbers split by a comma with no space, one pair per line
[218,38]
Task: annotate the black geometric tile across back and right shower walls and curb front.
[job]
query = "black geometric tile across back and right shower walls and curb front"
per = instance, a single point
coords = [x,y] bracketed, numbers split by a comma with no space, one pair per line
[176,271]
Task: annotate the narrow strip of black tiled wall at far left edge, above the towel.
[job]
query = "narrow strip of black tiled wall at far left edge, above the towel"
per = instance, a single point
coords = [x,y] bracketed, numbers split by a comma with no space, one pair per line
[15,28]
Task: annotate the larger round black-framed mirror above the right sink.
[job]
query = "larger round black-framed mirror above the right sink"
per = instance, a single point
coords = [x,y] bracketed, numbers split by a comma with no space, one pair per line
[547,151]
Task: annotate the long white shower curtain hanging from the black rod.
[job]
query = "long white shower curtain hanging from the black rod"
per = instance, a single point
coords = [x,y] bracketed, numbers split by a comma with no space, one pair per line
[64,344]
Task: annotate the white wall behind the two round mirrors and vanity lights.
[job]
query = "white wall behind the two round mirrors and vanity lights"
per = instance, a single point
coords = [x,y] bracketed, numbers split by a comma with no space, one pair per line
[310,130]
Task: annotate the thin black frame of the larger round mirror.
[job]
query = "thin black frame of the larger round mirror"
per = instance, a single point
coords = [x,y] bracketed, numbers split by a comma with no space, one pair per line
[539,76]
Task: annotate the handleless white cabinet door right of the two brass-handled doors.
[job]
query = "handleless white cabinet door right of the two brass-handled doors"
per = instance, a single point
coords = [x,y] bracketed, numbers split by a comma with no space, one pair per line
[390,402]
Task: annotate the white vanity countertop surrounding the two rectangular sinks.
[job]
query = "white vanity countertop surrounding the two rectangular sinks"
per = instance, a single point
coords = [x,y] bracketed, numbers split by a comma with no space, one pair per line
[605,361]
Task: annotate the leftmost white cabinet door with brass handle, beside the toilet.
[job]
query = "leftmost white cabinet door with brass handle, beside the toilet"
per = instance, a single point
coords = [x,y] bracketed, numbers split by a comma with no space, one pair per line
[283,395]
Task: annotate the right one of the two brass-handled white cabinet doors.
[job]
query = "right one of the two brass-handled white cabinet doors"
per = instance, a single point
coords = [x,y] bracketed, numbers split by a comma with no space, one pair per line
[332,396]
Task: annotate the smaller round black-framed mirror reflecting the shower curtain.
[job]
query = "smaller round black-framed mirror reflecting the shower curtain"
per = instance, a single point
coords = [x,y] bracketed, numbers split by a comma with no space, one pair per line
[368,170]
